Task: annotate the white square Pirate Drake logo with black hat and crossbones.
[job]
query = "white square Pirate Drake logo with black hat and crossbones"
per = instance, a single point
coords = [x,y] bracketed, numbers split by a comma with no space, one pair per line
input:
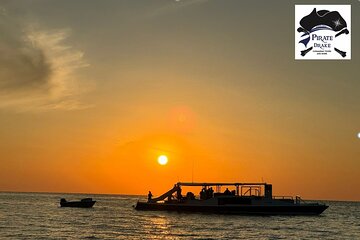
[322,32]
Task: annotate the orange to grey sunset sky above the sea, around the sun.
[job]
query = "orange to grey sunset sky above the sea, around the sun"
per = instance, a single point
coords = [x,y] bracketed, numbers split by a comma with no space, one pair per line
[92,92]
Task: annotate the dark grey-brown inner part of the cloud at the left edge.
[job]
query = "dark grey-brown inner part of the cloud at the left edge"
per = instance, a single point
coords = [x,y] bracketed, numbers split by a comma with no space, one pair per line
[23,65]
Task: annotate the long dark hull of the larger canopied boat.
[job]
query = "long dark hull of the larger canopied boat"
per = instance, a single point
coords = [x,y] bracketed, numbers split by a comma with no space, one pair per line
[310,209]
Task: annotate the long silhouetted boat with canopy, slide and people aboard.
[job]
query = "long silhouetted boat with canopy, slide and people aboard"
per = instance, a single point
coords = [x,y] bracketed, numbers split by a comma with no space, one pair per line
[244,198]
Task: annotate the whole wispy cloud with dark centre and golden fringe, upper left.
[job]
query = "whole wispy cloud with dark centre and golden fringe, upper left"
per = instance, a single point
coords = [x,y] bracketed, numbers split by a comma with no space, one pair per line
[38,70]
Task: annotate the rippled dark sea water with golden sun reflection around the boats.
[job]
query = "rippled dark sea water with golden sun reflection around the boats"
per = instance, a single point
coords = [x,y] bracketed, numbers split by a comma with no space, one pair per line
[38,216]
